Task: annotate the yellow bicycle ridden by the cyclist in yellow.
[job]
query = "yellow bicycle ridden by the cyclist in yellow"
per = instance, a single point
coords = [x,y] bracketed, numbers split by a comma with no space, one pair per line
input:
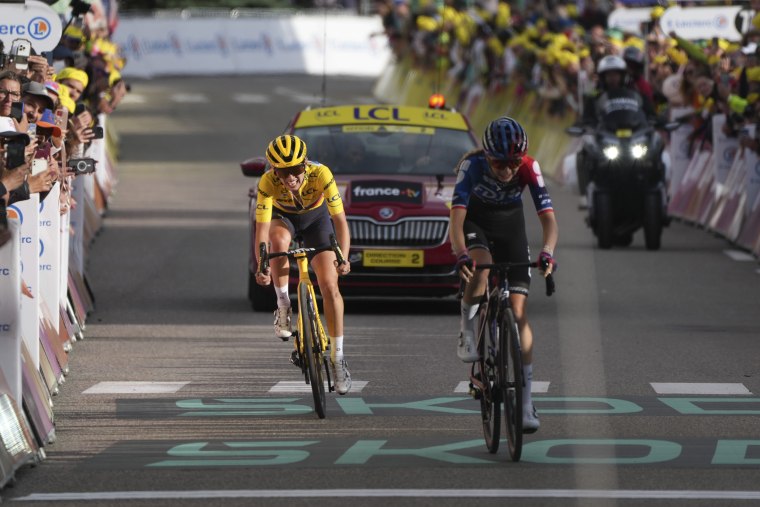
[311,342]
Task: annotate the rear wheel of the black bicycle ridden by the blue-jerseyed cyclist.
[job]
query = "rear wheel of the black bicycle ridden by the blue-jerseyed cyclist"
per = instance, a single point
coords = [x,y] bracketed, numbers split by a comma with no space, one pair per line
[490,396]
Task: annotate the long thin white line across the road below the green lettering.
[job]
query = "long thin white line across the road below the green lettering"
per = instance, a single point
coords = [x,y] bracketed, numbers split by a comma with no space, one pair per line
[397,493]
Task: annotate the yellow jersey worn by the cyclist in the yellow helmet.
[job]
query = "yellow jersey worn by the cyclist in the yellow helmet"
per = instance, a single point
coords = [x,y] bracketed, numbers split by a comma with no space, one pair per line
[318,185]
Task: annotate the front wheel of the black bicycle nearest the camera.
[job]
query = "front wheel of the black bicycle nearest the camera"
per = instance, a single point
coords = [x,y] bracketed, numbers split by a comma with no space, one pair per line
[511,362]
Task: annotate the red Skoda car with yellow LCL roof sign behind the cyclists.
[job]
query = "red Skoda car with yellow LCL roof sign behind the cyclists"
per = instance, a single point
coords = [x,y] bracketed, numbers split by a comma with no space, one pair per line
[394,166]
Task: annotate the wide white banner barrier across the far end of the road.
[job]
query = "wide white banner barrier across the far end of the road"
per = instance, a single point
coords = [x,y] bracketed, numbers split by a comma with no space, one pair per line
[304,44]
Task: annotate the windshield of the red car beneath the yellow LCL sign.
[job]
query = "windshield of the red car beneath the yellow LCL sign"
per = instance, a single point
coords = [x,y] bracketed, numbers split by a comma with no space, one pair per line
[386,149]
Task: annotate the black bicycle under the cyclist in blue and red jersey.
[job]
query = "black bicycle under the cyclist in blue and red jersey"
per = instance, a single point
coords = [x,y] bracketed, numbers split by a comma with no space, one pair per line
[497,377]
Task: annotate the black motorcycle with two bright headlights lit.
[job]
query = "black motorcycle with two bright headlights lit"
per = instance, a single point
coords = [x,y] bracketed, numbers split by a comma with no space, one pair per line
[621,171]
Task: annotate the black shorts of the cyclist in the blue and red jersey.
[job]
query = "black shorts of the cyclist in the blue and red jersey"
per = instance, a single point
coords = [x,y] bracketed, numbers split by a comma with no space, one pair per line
[502,233]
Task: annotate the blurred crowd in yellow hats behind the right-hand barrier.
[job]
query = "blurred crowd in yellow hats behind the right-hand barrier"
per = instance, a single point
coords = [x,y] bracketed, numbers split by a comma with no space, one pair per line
[551,49]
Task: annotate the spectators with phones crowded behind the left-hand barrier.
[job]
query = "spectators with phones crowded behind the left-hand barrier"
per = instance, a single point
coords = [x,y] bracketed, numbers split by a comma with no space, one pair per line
[50,105]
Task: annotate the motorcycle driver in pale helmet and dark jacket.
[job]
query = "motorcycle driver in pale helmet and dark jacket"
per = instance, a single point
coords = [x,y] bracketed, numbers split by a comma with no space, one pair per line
[613,94]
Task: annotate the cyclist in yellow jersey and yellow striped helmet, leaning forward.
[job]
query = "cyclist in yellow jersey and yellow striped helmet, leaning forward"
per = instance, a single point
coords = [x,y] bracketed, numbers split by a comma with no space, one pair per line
[298,197]
